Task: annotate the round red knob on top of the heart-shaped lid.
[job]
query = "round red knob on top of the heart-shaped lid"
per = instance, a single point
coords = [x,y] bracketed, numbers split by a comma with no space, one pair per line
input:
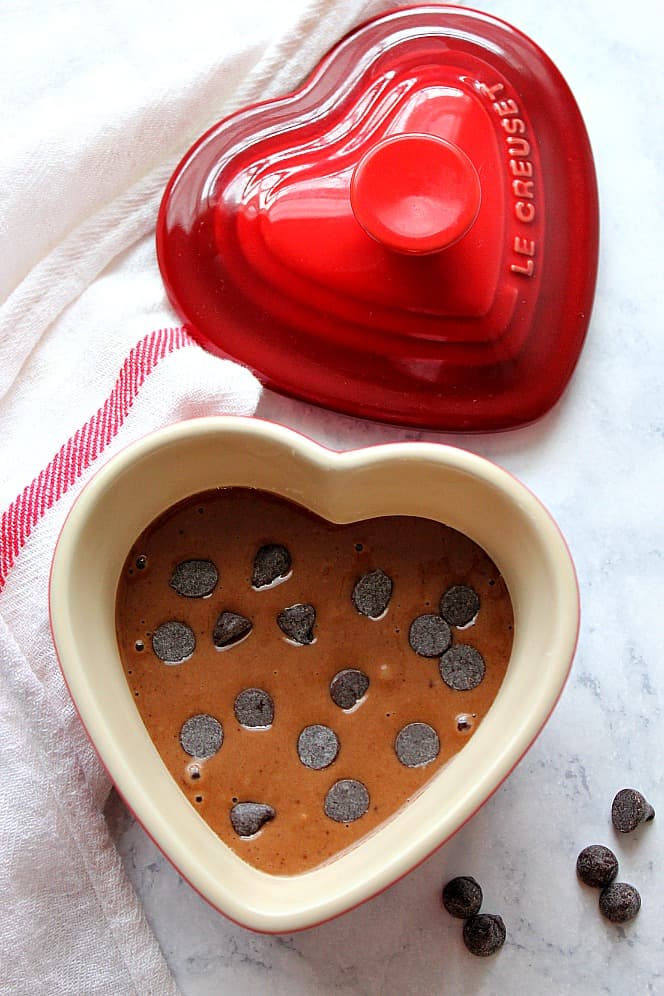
[415,193]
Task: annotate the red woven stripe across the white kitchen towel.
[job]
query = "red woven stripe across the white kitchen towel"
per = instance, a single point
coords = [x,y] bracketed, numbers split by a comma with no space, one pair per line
[83,448]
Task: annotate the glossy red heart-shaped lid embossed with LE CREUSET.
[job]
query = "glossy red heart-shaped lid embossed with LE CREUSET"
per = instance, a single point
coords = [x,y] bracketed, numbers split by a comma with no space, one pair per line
[281,247]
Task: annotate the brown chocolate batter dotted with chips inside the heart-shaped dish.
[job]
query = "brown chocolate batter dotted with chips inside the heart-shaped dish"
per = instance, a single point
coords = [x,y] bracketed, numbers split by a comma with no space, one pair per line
[223,531]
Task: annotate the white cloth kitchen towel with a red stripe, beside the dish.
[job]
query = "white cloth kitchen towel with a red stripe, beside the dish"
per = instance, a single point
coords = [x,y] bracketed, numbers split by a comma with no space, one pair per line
[99,101]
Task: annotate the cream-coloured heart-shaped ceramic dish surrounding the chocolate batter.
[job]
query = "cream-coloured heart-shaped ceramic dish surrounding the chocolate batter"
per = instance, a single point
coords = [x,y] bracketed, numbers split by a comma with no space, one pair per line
[424,479]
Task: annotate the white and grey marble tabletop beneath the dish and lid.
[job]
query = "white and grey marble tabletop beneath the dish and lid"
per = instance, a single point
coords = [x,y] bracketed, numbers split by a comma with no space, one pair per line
[597,462]
